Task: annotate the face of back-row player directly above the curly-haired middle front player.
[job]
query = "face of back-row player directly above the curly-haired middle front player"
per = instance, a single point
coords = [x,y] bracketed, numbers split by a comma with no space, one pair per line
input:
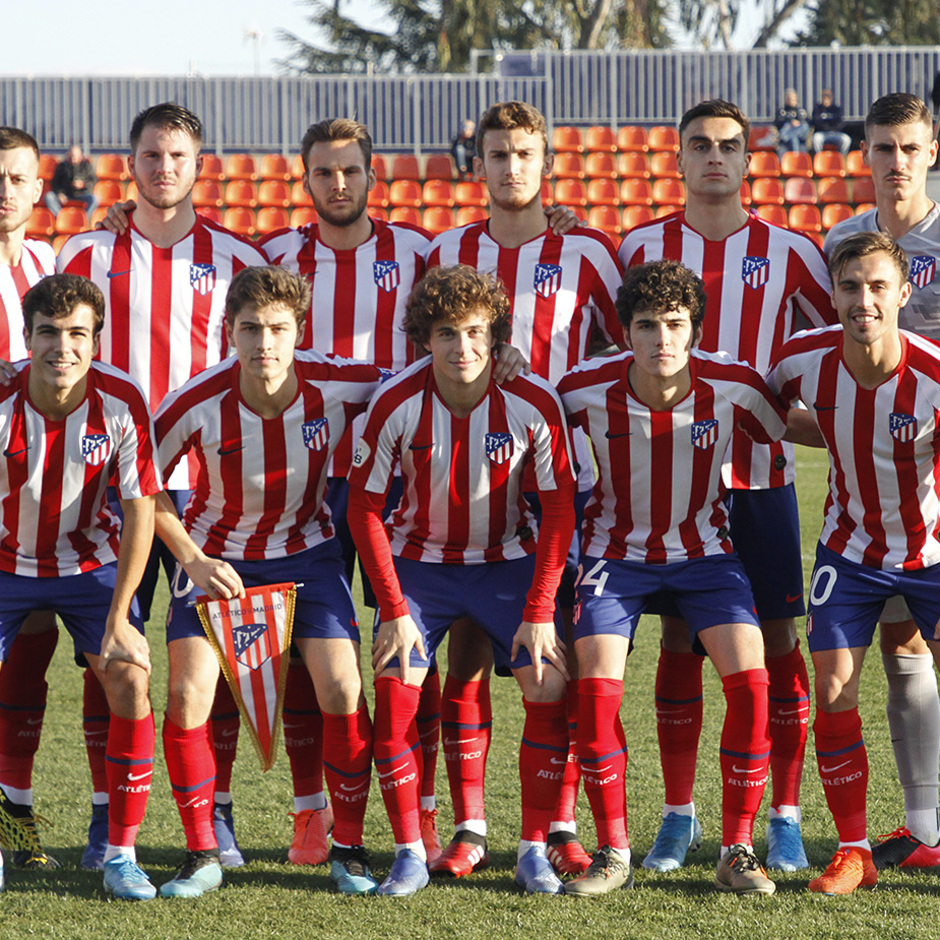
[513,163]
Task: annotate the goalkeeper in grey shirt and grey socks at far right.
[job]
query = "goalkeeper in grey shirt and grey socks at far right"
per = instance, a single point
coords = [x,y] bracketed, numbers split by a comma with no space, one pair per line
[900,148]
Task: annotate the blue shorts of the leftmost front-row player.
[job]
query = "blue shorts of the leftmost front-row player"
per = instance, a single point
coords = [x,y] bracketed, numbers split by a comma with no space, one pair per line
[81,601]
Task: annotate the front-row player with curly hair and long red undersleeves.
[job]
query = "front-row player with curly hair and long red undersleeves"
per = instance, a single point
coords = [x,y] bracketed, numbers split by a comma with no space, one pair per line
[462,543]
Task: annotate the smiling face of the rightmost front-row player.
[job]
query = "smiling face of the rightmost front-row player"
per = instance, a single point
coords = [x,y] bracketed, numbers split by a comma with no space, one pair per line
[867,294]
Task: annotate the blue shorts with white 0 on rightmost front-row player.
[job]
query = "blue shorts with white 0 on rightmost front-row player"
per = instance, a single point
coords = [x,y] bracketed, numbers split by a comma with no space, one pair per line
[846,599]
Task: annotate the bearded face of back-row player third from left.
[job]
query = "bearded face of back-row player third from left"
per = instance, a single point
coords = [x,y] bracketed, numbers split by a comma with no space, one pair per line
[338,181]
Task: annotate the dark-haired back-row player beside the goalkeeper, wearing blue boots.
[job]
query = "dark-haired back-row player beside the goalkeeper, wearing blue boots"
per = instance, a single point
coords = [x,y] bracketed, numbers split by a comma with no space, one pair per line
[759,280]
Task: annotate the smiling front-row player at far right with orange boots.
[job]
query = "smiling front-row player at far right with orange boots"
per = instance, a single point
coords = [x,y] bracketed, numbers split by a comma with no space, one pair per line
[874,392]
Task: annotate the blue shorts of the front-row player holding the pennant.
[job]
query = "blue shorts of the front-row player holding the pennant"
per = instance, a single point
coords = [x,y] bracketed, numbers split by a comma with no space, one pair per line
[324,606]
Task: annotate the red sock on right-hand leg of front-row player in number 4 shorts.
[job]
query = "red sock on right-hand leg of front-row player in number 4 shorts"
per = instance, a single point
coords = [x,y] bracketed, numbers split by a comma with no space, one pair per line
[745,753]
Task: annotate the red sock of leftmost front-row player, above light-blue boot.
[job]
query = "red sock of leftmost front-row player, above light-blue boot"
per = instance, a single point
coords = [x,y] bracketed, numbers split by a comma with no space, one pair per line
[130,770]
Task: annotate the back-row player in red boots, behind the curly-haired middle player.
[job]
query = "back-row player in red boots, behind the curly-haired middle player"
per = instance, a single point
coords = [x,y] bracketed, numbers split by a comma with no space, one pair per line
[561,291]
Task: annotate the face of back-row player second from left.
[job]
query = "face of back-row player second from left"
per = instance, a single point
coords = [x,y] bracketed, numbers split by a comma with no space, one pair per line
[165,166]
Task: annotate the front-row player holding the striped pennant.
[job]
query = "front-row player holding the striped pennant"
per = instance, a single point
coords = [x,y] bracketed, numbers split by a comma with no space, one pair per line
[263,426]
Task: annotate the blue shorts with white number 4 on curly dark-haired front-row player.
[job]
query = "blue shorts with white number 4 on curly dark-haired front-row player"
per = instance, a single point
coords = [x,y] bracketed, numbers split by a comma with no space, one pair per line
[706,592]
